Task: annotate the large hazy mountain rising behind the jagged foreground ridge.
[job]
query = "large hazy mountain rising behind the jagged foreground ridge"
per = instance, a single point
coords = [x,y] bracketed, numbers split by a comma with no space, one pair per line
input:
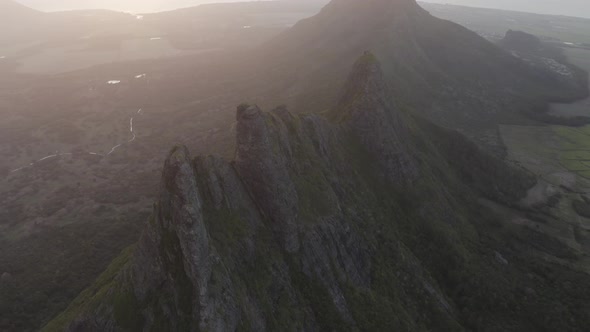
[448,73]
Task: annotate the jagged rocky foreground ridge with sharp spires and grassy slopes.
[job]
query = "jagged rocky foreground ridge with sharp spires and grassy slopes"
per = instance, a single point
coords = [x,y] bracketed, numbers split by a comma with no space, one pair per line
[366,219]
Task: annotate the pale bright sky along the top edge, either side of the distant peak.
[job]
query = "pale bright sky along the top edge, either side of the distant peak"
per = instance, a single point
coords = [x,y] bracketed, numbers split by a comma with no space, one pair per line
[558,7]
